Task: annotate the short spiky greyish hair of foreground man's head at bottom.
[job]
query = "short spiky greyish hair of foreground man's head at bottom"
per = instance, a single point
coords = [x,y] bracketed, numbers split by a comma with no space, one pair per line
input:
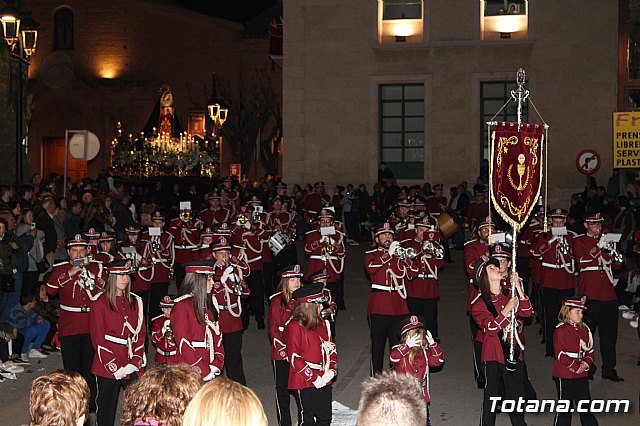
[391,399]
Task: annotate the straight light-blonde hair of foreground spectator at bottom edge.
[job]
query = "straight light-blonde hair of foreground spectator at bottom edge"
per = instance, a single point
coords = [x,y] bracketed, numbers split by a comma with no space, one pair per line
[225,402]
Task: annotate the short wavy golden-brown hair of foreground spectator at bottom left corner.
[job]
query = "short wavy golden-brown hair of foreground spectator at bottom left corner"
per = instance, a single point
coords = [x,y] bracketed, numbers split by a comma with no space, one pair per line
[60,398]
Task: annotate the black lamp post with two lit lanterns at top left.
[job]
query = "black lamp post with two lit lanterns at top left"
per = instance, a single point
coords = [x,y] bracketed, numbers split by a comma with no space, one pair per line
[20,32]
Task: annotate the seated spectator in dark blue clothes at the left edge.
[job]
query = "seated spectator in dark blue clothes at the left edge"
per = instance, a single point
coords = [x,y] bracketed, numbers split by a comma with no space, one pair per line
[32,327]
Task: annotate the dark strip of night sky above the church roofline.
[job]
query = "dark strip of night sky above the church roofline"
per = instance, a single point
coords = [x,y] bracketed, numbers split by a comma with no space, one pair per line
[232,10]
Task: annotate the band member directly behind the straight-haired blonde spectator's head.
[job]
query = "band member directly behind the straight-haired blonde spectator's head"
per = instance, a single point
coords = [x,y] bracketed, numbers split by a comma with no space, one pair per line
[228,287]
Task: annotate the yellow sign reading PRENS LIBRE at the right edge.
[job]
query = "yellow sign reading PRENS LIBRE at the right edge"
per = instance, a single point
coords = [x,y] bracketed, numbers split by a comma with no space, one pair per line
[626,140]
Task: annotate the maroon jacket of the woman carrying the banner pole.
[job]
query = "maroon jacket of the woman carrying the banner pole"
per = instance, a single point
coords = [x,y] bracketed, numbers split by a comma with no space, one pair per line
[491,326]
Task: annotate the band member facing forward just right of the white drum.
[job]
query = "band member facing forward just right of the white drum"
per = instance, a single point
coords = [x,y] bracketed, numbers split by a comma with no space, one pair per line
[326,252]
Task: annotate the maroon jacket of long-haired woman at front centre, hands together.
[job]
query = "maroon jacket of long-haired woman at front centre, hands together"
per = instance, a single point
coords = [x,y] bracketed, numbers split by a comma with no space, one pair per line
[311,353]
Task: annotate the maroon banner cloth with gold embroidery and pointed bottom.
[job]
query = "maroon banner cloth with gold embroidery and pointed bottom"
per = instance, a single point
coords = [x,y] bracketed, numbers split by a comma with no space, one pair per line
[516,170]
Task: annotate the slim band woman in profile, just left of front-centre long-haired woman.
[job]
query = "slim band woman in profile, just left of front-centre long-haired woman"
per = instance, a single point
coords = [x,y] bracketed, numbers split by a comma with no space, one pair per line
[280,306]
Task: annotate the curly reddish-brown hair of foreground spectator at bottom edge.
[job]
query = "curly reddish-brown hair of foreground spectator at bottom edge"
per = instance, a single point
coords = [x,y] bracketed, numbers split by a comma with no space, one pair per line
[162,393]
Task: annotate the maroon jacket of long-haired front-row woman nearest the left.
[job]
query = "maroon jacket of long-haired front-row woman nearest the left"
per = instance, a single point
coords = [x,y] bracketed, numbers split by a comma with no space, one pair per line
[118,336]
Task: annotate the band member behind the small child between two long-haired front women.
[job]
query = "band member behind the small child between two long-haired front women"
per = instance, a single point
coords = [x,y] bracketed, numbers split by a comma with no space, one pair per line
[159,250]
